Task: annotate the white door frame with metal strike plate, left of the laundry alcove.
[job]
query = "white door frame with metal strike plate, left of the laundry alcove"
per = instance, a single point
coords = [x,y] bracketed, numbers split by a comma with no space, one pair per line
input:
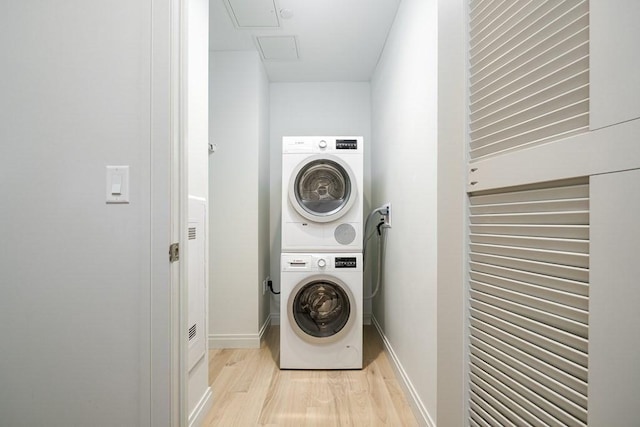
[164,376]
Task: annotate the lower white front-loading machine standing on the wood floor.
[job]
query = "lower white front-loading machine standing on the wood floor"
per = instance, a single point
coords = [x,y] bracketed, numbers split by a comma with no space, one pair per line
[321,311]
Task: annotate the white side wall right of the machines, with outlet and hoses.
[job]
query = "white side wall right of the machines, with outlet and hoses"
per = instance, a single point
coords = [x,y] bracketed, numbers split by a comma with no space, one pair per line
[405,173]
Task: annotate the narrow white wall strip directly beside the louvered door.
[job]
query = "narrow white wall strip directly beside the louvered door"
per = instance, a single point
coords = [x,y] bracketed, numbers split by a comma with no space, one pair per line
[452,112]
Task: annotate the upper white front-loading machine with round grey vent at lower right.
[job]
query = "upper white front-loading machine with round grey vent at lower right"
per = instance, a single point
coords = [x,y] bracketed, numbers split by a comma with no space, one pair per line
[322,193]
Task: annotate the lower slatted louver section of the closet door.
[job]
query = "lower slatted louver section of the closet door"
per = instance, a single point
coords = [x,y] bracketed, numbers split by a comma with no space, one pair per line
[528,309]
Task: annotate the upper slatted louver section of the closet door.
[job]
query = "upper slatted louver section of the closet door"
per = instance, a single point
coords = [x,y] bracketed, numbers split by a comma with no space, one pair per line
[529,73]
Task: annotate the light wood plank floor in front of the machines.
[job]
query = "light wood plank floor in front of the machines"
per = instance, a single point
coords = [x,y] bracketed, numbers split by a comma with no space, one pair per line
[250,390]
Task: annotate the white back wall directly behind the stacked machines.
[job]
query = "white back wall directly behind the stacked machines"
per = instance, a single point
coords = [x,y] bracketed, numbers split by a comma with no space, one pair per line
[313,109]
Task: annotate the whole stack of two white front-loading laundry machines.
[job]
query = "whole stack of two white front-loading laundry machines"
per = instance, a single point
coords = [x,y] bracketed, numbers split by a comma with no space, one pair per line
[321,263]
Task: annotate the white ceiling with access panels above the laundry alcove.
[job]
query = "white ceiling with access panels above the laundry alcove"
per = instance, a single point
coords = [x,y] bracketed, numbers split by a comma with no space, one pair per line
[328,40]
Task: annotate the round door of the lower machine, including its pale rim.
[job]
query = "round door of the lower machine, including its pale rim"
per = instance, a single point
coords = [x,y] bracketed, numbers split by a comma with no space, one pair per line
[321,309]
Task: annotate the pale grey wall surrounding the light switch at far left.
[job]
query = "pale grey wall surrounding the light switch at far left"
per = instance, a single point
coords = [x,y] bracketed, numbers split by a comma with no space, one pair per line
[77,274]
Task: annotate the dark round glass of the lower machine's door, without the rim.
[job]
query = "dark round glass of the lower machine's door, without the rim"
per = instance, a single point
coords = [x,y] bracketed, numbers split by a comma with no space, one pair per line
[320,309]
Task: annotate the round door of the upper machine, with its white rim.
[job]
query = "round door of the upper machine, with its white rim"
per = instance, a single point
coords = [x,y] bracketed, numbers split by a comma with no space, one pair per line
[322,188]
